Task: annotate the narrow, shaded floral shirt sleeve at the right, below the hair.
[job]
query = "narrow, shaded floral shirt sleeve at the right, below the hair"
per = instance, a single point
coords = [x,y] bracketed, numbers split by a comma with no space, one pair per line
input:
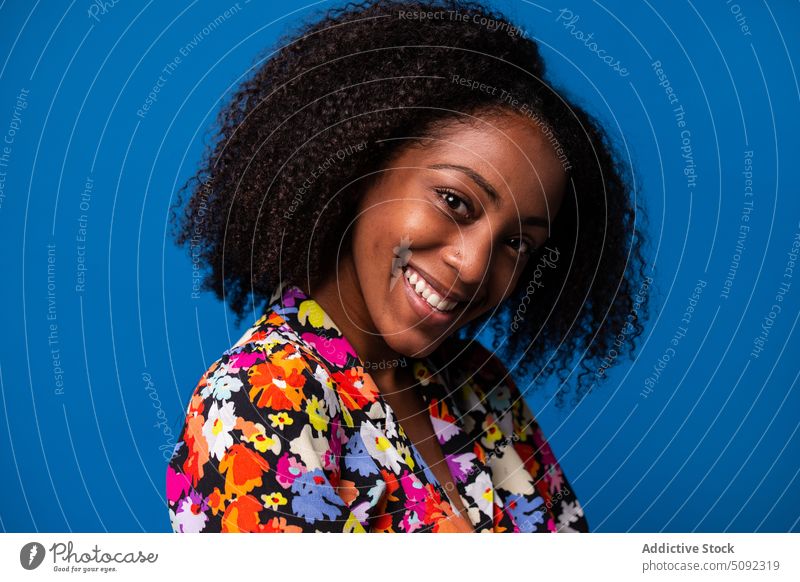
[519,426]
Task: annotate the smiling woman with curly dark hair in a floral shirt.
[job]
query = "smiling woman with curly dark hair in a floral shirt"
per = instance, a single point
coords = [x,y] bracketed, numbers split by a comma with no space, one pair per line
[396,177]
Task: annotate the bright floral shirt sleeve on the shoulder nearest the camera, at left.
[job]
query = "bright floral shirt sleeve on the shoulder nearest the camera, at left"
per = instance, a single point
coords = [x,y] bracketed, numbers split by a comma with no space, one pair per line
[260,446]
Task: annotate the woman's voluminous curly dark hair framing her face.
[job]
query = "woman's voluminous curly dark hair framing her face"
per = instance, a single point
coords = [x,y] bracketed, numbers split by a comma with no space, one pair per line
[270,202]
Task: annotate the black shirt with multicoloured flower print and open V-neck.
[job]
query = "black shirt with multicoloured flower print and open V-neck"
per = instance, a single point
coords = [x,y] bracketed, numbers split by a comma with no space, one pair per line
[287,432]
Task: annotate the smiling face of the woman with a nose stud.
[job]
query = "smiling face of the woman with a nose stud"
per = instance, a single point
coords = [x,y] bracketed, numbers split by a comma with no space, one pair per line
[453,221]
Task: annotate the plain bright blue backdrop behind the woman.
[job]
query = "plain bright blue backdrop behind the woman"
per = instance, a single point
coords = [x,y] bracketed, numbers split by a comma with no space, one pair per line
[713,446]
